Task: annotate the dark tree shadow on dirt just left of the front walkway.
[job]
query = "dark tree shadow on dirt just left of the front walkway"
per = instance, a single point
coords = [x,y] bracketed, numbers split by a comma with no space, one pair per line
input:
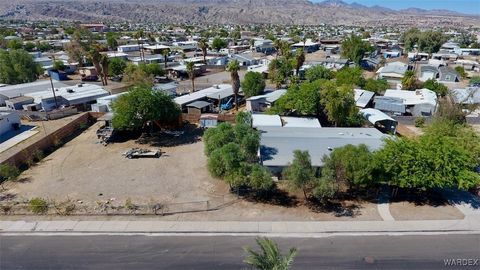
[337,208]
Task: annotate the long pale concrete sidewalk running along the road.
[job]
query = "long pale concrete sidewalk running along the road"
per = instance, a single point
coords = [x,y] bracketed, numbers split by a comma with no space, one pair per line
[469,224]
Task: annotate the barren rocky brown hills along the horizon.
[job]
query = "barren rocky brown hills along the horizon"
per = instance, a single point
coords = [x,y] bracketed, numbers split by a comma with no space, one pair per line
[225,11]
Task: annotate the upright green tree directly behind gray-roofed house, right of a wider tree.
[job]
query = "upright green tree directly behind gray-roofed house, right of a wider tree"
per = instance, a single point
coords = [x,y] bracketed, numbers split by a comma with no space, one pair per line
[339,104]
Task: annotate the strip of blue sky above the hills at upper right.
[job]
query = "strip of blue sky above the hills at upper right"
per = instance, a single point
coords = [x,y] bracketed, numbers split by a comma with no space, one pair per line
[464,6]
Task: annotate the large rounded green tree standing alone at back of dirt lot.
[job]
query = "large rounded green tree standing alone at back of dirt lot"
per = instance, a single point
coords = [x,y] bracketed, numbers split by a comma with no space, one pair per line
[141,105]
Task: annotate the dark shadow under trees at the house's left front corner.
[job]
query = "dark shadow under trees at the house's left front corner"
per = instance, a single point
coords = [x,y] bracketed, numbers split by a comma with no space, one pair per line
[276,197]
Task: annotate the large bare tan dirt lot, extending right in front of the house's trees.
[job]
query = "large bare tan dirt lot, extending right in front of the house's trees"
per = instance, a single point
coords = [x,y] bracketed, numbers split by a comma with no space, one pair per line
[84,170]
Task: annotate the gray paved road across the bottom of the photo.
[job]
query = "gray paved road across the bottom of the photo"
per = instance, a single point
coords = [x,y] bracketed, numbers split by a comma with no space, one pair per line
[225,252]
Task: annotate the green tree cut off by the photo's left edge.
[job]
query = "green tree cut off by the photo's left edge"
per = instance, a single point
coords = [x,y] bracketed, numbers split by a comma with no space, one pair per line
[17,66]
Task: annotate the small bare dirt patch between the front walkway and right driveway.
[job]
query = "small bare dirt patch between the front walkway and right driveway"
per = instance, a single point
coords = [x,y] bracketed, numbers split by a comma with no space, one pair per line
[411,211]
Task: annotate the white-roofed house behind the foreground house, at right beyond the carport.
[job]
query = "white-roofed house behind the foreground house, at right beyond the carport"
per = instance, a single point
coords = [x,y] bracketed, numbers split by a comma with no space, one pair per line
[421,102]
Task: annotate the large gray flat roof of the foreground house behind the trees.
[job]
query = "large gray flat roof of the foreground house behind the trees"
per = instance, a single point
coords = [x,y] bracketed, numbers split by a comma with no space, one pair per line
[278,143]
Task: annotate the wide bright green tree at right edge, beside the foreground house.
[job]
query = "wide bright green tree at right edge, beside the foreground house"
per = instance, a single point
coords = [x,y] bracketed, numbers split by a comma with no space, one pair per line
[433,161]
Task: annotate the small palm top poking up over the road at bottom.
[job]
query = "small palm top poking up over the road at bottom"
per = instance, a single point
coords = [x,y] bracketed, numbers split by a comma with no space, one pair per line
[270,257]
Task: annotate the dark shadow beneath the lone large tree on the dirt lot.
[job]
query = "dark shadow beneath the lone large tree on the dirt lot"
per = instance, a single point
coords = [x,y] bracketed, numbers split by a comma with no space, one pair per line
[187,135]
